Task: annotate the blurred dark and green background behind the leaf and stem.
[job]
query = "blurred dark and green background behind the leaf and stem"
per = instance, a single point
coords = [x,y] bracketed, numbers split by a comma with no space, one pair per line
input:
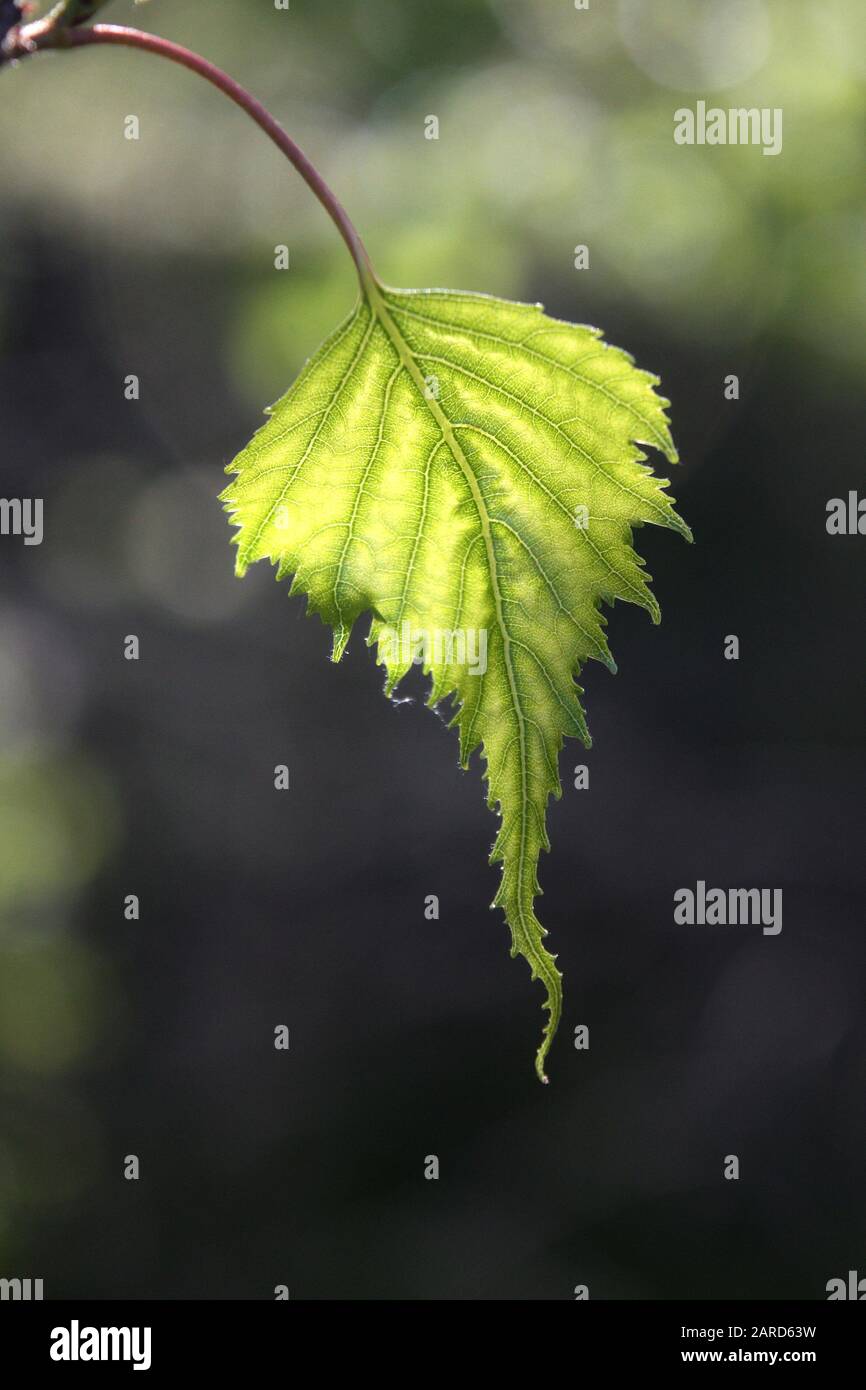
[414,1038]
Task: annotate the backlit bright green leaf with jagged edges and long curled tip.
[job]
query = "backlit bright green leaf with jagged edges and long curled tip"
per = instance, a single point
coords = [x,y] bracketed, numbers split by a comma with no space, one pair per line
[466,469]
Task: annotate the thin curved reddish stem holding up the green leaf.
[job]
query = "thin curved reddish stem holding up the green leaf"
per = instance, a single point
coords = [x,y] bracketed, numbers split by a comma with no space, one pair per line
[123,37]
